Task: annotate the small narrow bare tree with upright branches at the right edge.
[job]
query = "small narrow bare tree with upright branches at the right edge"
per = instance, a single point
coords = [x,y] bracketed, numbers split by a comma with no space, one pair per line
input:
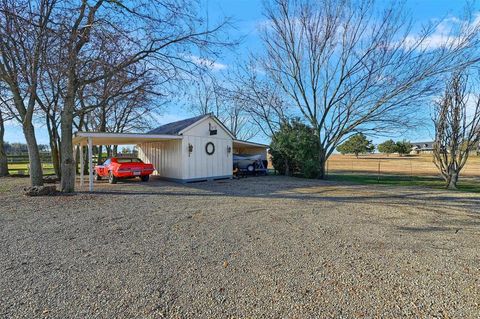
[457,129]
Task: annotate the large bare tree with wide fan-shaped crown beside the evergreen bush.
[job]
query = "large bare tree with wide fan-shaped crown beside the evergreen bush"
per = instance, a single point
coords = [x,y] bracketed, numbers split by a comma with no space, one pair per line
[347,66]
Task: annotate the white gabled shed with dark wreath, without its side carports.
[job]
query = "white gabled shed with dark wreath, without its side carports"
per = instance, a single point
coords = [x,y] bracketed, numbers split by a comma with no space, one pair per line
[203,153]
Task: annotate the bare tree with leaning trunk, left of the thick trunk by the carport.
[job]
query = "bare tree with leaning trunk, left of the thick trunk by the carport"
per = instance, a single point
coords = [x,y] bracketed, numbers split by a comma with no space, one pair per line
[23,29]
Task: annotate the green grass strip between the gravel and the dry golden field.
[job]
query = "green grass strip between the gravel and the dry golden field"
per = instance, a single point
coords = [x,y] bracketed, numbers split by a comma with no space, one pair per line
[466,185]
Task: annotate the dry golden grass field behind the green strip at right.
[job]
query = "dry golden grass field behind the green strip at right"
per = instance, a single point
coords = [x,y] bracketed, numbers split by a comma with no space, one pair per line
[414,165]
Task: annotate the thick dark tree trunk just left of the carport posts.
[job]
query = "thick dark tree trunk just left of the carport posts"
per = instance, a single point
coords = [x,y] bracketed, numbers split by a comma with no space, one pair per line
[67,156]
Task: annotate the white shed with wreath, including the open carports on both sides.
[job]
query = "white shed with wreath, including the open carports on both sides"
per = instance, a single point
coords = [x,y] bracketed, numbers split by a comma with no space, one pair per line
[194,149]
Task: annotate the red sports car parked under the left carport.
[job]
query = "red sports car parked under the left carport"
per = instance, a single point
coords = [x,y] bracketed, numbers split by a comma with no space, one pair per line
[123,167]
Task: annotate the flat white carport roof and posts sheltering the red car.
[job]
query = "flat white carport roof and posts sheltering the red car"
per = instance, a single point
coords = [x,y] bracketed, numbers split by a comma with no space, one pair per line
[81,139]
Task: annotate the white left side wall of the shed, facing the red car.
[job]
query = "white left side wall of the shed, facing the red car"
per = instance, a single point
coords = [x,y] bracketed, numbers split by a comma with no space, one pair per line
[165,156]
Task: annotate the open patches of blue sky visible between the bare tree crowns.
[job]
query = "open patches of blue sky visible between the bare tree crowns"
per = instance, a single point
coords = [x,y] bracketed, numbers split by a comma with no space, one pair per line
[247,16]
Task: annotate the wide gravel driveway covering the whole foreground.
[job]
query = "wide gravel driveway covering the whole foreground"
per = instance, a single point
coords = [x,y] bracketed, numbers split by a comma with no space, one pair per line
[267,247]
